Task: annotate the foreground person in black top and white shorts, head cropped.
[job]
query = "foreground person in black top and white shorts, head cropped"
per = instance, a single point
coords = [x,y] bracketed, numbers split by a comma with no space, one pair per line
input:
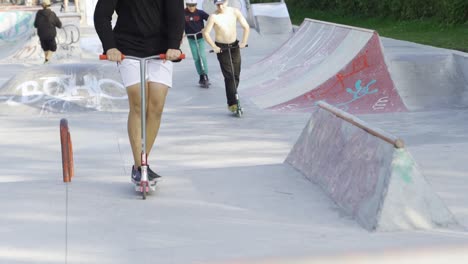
[143,28]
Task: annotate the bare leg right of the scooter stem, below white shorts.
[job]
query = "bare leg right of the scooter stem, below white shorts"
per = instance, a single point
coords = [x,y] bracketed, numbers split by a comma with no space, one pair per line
[156,99]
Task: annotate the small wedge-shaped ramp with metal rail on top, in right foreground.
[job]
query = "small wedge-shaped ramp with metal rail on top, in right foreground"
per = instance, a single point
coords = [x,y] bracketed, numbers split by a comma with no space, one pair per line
[367,172]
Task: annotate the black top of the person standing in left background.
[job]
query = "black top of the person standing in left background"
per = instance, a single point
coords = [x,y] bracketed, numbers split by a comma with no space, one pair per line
[46,21]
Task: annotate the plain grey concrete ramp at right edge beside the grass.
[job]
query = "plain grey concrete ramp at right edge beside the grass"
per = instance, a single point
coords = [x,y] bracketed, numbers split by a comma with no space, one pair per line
[428,78]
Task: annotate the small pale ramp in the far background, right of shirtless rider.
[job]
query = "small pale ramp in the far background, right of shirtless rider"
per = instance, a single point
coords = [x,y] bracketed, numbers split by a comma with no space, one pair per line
[271,18]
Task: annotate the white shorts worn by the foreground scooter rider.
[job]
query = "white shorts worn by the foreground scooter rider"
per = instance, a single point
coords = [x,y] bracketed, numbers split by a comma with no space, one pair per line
[156,71]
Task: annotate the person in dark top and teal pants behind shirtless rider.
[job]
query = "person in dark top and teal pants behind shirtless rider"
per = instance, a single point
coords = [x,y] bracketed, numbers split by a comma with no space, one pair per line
[194,25]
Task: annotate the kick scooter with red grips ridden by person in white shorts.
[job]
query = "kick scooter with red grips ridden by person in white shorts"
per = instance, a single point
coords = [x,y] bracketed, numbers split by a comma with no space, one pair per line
[144,186]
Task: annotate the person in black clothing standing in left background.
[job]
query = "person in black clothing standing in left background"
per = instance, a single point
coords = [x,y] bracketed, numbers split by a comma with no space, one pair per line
[46,22]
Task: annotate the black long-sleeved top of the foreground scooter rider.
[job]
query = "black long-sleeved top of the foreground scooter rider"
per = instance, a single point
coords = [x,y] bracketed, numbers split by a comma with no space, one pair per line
[143,28]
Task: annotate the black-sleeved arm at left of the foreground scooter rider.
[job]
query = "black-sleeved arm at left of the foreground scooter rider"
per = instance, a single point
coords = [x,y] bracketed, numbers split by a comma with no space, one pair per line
[103,23]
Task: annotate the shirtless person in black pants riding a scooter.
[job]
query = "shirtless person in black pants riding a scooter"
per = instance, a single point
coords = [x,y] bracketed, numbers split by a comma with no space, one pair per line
[224,22]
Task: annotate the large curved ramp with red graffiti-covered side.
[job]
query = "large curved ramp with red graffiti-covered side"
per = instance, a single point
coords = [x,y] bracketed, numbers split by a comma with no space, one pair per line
[341,65]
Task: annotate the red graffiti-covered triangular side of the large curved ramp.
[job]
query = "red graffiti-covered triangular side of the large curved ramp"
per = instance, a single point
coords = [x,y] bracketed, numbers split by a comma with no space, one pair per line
[362,86]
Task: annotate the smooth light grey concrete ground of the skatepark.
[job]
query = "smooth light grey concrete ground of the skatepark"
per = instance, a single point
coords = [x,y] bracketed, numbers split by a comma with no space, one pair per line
[226,195]
